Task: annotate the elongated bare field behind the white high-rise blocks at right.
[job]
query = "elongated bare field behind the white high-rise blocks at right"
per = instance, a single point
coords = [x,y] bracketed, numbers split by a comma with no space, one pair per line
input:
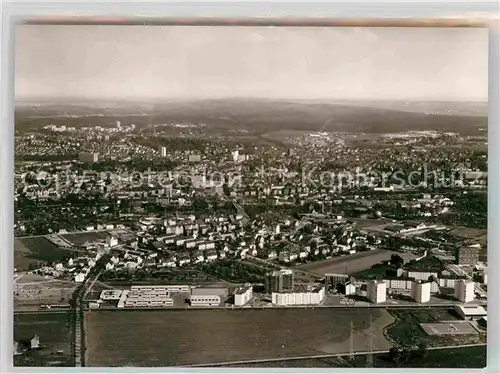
[351,264]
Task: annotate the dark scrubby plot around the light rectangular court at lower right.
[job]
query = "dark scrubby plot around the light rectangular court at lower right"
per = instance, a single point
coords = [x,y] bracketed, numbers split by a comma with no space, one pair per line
[407,329]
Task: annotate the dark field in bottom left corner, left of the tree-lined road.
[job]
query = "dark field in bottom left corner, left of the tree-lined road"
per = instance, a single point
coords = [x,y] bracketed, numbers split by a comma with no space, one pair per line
[53,330]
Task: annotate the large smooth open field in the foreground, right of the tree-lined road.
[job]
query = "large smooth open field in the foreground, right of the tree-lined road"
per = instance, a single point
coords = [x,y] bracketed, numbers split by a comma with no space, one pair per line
[168,338]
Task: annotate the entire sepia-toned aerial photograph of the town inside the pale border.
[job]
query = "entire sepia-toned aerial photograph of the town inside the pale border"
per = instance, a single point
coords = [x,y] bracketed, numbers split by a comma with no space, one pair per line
[250,196]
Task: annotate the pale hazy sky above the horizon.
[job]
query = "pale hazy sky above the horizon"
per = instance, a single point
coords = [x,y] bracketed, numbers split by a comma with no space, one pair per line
[183,62]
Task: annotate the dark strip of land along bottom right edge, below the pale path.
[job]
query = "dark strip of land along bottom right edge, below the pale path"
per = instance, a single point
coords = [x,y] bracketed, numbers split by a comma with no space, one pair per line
[467,357]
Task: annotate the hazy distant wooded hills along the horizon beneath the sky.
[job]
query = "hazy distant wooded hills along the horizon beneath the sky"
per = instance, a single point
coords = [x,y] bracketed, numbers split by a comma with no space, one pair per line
[262,115]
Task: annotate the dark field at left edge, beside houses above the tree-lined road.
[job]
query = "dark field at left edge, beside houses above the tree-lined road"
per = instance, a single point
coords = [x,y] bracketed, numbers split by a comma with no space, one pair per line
[37,251]
